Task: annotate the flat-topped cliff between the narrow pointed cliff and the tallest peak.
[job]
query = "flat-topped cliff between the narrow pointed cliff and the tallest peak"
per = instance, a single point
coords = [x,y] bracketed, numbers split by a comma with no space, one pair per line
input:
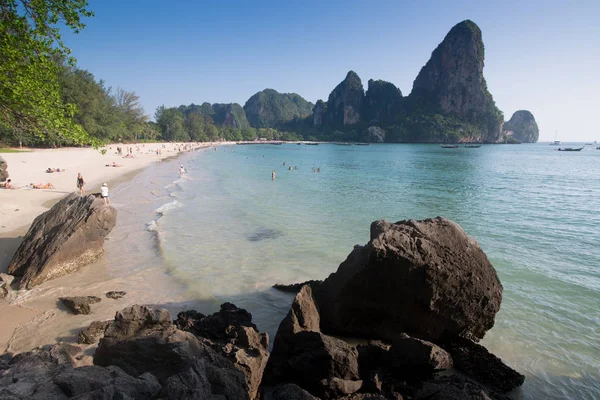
[383,101]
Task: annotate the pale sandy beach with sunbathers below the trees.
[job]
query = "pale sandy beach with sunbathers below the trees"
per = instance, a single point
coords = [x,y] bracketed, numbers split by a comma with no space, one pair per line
[19,207]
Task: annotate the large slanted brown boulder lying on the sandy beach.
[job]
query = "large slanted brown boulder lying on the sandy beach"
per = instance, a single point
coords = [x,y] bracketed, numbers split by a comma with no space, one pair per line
[62,240]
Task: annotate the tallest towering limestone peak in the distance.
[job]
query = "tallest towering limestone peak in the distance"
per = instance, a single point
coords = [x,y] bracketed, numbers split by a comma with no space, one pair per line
[452,82]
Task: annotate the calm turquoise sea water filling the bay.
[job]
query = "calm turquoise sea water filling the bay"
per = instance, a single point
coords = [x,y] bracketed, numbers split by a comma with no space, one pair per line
[227,232]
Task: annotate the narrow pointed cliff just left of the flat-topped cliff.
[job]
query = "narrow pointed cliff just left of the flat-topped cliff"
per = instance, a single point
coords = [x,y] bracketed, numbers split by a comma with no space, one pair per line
[345,102]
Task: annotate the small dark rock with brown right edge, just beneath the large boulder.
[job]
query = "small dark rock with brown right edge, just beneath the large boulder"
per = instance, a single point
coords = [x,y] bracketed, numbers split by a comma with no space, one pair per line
[417,357]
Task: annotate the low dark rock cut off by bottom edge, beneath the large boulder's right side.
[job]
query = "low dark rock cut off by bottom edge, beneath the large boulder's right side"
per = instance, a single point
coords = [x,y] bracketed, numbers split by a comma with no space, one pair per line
[454,387]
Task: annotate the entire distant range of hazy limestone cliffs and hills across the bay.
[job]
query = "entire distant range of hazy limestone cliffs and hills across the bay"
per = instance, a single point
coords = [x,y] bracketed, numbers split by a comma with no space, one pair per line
[449,103]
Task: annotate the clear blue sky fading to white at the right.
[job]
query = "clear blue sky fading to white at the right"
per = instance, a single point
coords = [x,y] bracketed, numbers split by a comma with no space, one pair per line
[541,56]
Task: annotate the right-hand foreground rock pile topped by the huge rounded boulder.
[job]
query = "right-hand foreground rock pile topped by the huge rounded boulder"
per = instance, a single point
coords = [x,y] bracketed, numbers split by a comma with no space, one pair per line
[420,293]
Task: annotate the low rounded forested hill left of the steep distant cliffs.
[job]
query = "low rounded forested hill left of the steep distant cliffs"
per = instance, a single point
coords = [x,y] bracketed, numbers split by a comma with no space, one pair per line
[270,109]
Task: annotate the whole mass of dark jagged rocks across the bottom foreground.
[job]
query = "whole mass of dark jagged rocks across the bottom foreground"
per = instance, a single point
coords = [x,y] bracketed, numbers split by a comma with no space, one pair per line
[416,298]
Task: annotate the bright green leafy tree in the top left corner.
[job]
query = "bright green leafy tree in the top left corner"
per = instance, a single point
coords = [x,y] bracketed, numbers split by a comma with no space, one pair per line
[30,97]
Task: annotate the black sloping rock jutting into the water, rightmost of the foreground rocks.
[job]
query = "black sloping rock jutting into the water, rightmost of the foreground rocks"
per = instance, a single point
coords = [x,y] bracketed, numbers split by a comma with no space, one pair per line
[478,363]
